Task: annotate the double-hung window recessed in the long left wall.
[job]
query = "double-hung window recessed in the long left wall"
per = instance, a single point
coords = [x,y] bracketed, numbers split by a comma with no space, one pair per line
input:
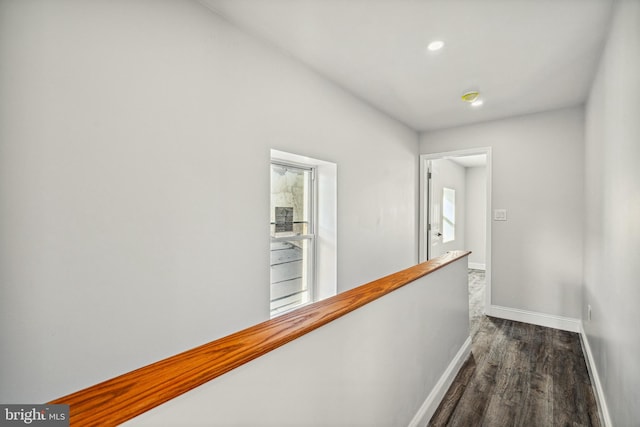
[293,236]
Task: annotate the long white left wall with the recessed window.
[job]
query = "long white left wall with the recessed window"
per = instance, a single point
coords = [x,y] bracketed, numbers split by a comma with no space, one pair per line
[135,141]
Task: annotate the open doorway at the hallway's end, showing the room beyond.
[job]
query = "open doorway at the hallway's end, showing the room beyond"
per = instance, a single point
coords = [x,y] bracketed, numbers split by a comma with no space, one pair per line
[455,206]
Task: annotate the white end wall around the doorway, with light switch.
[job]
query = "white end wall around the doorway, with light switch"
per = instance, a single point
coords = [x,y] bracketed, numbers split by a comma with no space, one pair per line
[537,175]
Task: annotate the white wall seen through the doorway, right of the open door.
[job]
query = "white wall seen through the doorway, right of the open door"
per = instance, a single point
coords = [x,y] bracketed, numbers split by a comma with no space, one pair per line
[476,215]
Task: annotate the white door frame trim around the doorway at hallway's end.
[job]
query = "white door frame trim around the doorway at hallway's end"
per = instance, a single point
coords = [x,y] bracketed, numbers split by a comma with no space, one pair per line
[424,208]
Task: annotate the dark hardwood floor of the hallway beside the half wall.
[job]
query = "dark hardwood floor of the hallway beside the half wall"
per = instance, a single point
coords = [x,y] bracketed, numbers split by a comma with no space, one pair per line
[520,375]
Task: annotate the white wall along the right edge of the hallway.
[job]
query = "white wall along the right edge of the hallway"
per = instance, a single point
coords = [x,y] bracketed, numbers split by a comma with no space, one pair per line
[612,246]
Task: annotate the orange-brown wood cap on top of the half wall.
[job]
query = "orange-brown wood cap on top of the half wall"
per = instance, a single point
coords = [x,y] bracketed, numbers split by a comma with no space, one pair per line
[122,398]
